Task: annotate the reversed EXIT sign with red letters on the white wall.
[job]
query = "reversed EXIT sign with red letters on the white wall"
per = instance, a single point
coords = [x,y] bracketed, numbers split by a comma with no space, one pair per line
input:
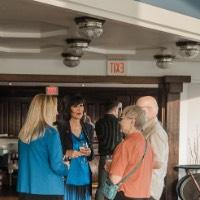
[117,67]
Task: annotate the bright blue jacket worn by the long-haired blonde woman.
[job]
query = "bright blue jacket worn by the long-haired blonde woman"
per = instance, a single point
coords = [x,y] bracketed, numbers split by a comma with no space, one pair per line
[41,167]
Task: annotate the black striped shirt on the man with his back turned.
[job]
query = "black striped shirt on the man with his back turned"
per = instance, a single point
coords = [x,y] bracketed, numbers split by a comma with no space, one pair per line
[108,134]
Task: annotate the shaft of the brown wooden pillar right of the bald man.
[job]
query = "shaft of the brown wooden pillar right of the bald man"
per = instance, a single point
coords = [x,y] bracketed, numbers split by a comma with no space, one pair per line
[172,127]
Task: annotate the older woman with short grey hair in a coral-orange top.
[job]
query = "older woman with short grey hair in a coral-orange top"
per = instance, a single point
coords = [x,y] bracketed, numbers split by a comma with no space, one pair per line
[129,153]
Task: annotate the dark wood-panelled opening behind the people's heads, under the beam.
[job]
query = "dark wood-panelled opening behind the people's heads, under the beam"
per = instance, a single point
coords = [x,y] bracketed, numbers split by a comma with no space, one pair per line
[14,102]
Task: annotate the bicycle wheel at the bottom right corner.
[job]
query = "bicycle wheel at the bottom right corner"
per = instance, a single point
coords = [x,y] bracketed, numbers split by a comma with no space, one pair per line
[188,189]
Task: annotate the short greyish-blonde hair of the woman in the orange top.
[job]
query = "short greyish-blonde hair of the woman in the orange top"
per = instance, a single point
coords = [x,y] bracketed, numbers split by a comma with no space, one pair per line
[137,113]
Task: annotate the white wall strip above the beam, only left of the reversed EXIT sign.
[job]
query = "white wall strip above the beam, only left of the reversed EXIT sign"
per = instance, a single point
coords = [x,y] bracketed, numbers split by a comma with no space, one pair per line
[50,66]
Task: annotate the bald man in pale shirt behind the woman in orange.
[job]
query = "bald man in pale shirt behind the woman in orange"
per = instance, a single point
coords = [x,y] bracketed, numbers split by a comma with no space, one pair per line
[158,138]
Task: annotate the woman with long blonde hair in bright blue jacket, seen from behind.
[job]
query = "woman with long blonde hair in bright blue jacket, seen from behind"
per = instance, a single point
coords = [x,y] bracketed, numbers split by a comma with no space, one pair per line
[41,167]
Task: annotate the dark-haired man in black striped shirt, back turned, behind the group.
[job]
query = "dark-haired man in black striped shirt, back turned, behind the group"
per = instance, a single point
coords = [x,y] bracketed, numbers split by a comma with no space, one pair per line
[108,135]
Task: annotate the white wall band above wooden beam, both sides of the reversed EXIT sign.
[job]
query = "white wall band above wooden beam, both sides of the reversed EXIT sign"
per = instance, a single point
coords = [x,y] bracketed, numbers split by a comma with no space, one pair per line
[95,67]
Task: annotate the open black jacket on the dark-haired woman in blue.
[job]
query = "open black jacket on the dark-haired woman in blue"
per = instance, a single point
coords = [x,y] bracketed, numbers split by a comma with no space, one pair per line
[66,137]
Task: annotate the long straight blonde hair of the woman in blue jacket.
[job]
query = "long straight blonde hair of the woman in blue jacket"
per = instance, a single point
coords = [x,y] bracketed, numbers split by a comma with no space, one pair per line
[41,113]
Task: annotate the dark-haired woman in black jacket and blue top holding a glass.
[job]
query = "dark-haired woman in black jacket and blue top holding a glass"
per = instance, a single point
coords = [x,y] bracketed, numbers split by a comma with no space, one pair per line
[76,139]
